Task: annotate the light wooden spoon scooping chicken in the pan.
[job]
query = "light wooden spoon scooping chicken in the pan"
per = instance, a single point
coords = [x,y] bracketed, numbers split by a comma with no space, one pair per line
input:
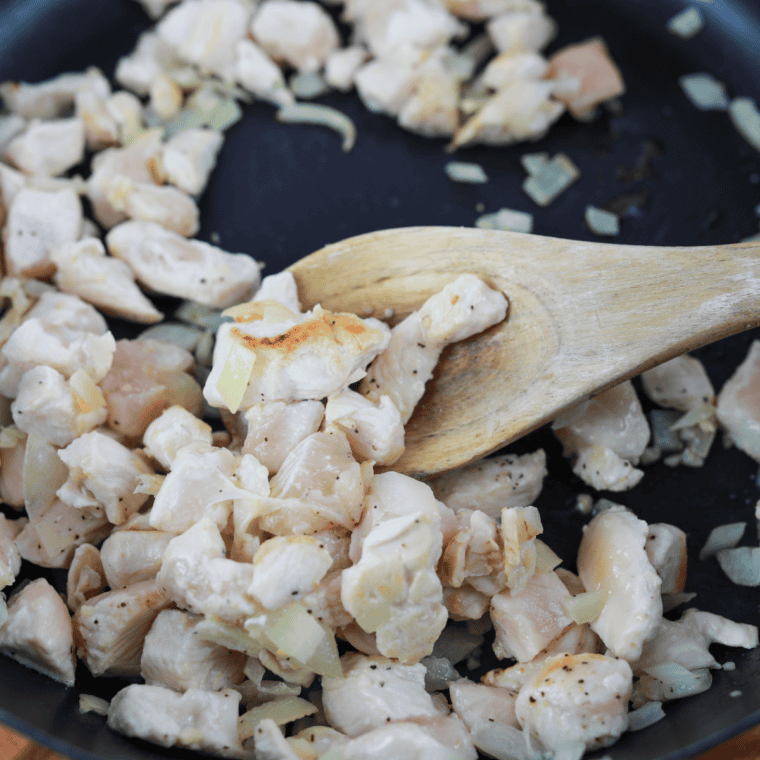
[582,317]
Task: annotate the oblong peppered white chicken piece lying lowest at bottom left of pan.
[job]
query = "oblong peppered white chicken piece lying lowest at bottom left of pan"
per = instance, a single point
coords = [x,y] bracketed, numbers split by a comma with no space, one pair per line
[200,720]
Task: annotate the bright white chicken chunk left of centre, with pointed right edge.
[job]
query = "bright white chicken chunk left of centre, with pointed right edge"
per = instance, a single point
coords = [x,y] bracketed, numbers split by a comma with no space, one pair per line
[199,485]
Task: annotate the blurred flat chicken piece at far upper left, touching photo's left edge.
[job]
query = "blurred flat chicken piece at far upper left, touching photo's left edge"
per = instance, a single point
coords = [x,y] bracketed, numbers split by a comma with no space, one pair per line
[53,97]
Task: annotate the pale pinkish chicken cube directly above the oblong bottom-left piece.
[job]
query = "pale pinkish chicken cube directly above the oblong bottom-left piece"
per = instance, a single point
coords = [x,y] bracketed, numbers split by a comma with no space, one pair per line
[174,656]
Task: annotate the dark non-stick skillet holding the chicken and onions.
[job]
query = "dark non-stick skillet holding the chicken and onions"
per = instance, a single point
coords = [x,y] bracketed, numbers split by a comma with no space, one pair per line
[280,192]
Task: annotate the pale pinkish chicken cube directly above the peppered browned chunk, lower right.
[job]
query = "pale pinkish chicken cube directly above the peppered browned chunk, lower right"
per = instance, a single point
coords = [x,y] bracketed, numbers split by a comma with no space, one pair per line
[528,621]
